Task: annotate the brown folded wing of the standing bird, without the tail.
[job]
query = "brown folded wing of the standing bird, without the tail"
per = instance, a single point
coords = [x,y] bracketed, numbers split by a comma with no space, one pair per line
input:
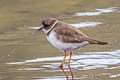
[68,33]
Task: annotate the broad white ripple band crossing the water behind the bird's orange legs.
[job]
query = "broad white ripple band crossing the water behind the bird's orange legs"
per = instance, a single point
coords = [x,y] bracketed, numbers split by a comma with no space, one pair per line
[87,61]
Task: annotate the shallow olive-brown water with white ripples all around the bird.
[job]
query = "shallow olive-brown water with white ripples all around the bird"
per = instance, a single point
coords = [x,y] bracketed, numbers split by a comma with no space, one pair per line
[25,54]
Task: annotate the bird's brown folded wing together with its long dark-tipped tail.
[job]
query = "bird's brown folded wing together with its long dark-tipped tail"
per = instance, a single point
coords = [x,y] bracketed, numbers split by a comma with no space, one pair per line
[70,34]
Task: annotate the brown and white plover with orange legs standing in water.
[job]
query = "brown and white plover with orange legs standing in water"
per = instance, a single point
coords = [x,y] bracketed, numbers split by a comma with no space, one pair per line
[65,37]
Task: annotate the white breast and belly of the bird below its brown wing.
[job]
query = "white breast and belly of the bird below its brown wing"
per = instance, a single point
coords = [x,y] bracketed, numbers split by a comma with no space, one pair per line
[64,46]
